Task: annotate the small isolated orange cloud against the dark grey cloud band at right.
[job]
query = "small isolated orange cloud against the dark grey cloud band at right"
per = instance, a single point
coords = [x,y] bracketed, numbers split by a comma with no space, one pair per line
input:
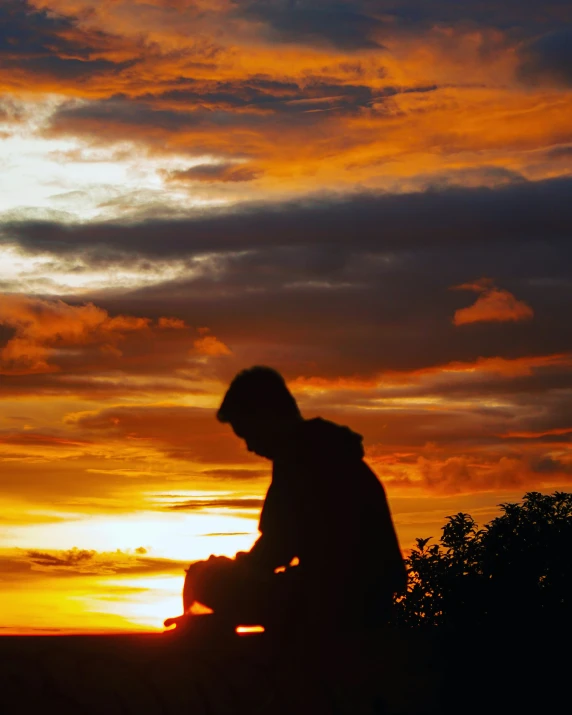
[493,305]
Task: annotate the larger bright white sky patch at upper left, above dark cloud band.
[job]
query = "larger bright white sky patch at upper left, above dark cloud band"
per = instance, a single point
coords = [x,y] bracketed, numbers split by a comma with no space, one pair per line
[69,180]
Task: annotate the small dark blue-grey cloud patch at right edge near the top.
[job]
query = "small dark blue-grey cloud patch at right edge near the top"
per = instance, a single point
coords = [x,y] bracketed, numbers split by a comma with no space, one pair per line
[547,59]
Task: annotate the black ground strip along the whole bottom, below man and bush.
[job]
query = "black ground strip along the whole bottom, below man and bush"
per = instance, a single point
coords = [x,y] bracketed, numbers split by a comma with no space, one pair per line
[389,673]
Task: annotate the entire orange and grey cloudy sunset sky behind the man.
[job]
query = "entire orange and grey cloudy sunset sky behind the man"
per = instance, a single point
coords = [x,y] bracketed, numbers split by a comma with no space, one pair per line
[373,197]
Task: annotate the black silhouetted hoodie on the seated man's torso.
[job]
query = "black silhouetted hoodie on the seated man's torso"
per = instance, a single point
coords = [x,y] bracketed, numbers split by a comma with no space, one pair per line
[328,509]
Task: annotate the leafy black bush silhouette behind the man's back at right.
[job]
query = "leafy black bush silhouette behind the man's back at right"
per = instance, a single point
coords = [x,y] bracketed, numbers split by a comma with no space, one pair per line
[515,570]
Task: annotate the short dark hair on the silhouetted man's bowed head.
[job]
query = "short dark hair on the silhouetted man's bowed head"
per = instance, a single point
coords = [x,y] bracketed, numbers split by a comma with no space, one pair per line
[258,392]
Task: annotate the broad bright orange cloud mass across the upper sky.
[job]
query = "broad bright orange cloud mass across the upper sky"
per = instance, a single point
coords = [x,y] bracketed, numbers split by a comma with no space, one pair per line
[307,114]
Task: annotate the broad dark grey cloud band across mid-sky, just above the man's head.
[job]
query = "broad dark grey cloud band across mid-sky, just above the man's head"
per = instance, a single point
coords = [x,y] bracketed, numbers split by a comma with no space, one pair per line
[379,265]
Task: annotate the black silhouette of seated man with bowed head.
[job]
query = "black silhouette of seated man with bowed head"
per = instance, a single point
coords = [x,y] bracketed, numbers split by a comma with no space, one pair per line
[327,554]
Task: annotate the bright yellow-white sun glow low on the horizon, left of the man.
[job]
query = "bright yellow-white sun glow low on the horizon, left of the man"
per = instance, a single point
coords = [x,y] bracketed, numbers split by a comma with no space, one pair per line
[112,592]
